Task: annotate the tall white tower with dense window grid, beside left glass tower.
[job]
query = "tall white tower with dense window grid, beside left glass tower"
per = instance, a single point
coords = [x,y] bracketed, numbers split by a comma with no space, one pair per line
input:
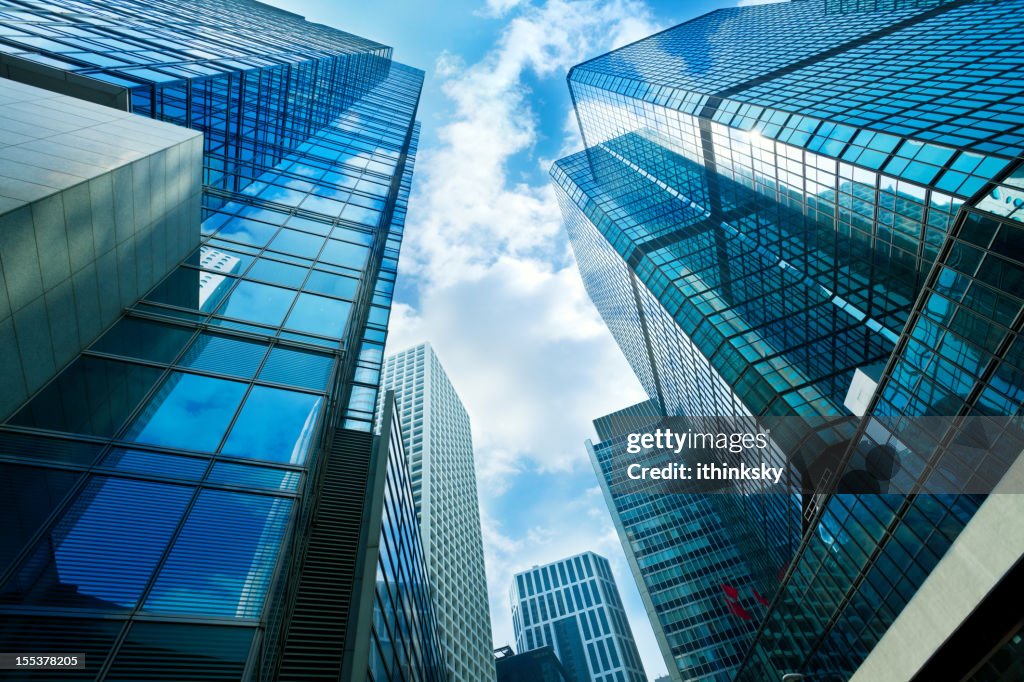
[440,449]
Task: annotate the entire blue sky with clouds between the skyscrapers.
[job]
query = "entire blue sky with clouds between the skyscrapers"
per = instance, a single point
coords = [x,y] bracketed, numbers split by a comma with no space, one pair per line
[487,274]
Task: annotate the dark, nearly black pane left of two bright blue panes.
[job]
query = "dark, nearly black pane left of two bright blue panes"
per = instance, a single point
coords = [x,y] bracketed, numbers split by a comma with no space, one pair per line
[94,396]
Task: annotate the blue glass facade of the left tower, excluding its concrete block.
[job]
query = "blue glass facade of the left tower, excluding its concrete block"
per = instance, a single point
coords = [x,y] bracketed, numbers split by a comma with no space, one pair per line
[162,487]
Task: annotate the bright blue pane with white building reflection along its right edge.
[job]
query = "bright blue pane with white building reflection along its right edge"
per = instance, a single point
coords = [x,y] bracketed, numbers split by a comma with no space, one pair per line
[275,424]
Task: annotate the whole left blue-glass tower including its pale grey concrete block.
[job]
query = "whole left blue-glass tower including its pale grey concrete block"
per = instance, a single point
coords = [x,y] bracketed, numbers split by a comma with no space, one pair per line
[199,493]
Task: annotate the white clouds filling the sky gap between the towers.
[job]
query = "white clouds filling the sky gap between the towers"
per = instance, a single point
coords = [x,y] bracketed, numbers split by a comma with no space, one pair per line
[500,297]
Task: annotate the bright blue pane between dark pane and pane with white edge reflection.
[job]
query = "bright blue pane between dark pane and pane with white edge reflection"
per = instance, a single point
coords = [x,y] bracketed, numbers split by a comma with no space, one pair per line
[189,412]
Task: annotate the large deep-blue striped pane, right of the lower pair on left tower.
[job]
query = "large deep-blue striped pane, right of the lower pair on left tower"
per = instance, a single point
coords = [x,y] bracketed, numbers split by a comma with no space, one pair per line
[223,562]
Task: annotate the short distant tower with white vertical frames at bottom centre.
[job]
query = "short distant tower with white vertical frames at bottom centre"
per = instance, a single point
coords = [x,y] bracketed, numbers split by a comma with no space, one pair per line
[573,606]
